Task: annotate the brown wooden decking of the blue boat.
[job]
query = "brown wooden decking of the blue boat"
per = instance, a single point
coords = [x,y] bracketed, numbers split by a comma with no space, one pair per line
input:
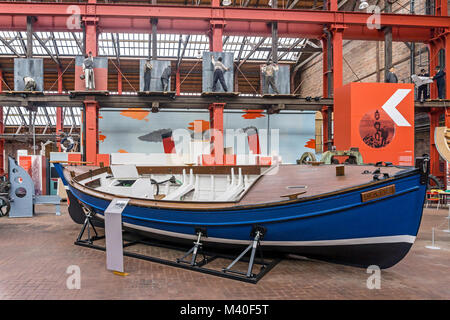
[285,183]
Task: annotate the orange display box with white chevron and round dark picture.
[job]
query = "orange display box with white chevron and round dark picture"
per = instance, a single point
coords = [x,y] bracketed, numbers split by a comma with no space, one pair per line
[377,118]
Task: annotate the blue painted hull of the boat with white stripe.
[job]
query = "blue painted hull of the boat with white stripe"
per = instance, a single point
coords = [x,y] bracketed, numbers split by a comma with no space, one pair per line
[338,228]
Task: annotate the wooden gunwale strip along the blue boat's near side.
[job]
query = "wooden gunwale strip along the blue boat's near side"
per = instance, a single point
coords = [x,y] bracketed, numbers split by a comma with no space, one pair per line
[230,205]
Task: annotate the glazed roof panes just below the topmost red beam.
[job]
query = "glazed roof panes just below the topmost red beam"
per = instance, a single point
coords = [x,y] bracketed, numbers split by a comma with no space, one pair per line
[137,45]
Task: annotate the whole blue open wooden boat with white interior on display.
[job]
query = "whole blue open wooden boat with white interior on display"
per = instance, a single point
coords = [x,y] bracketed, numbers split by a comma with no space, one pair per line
[365,215]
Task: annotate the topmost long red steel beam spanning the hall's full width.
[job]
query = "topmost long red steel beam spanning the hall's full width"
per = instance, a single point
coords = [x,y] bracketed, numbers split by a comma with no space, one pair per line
[119,13]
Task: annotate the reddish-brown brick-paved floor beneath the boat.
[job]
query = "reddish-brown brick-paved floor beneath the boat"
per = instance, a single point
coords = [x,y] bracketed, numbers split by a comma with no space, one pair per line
[36,252]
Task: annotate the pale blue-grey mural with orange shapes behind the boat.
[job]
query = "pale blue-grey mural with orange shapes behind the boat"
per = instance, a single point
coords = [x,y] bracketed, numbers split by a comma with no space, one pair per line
[135,130]
